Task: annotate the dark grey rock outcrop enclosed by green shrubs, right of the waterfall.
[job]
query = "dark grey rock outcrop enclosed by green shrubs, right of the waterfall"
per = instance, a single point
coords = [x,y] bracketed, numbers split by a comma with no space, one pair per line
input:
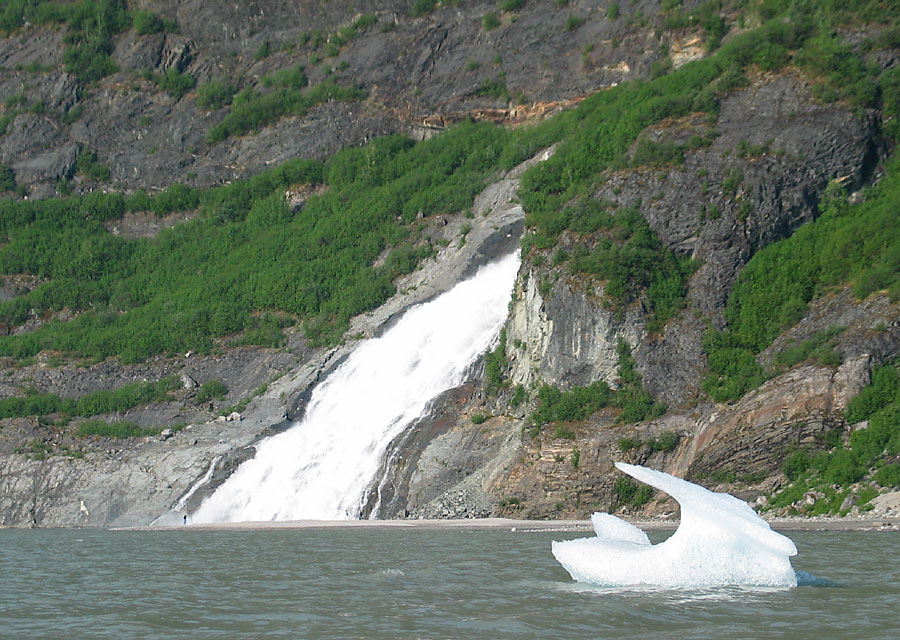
[772,153]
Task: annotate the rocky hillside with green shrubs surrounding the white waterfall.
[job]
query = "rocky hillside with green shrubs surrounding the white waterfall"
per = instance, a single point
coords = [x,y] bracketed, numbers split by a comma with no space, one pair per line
[658,317]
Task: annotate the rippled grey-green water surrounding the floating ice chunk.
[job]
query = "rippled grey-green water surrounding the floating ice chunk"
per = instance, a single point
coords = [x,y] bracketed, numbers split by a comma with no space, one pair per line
[408,584]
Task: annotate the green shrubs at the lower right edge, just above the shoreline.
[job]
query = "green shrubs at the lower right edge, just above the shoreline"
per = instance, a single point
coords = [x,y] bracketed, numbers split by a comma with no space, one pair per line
[868,455]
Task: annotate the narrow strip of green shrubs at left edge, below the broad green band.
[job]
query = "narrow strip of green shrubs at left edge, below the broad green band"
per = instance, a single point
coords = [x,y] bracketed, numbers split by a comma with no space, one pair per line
[99,402]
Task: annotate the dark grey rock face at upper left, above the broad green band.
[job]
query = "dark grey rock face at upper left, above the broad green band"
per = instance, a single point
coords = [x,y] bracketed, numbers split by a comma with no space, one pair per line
[413,70]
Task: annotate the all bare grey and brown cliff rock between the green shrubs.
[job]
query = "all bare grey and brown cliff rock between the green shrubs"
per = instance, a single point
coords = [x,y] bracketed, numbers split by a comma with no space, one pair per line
[750,174]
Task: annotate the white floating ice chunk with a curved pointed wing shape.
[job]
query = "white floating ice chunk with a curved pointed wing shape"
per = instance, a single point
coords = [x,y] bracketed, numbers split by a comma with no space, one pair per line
[720,541]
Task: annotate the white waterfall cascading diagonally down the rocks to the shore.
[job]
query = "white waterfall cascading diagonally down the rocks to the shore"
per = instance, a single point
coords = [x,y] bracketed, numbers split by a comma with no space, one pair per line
[321,467]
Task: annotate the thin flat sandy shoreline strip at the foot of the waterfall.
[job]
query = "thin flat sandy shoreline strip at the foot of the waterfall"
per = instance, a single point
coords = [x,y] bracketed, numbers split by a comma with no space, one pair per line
[519,526]
